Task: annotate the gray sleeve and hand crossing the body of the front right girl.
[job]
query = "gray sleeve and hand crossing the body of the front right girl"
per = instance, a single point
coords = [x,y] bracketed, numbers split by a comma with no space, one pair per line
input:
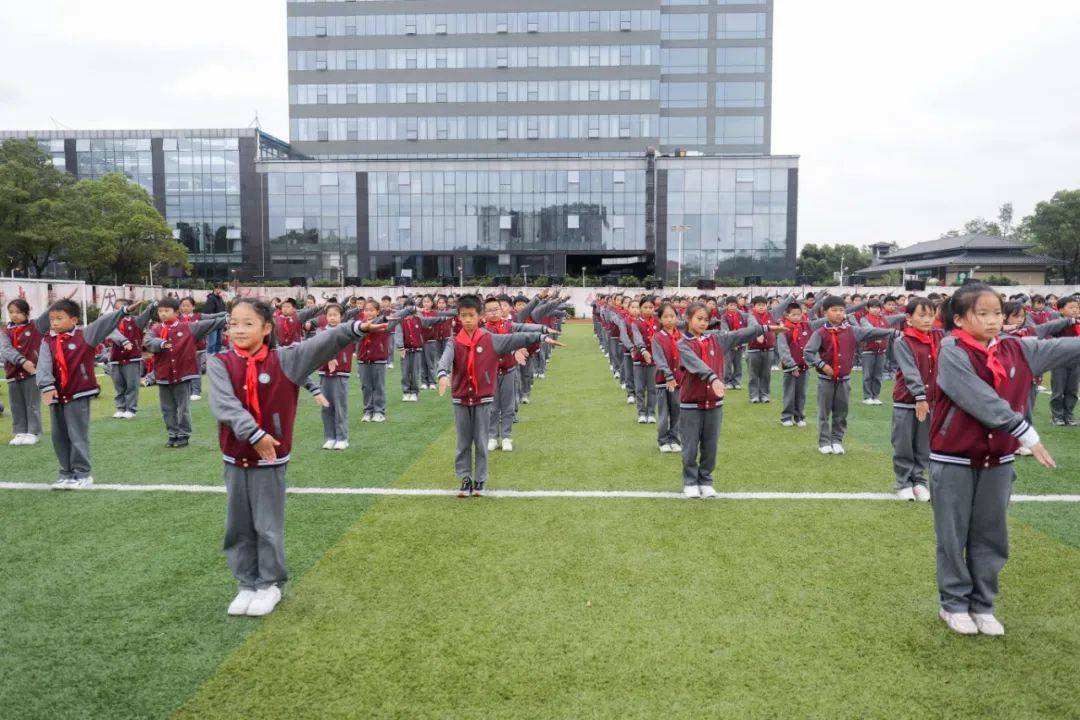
[957,379]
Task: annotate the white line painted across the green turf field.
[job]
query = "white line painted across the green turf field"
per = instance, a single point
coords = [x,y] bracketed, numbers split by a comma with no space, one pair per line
[423,493]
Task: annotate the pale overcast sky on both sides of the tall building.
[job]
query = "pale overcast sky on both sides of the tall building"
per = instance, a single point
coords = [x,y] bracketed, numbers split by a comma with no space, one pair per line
[910,118]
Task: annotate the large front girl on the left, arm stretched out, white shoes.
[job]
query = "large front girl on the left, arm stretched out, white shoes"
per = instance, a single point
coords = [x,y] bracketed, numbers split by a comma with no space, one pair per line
[254,391]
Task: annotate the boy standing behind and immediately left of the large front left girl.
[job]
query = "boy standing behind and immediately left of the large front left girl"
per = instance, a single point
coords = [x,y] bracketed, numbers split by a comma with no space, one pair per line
[175,366]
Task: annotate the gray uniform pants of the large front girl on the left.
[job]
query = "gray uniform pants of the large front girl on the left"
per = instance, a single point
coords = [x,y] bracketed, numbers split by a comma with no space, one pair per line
[255,526]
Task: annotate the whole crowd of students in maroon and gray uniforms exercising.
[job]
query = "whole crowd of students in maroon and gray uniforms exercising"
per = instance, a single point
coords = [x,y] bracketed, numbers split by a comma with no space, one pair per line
[967,373]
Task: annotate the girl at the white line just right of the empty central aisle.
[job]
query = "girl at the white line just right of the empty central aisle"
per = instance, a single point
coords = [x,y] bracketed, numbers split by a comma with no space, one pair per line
[701,396]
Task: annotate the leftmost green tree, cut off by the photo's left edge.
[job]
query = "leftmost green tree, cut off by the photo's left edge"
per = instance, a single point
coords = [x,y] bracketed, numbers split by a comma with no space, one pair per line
[30,186]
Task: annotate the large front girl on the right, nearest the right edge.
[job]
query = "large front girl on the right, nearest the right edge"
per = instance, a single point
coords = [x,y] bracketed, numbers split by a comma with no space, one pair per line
[984,381]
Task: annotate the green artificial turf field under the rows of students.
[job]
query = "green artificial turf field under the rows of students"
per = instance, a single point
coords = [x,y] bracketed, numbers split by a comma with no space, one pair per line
[113,604]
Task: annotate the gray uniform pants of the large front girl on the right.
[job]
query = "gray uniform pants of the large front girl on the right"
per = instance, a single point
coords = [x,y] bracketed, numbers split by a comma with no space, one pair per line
[970,509]
